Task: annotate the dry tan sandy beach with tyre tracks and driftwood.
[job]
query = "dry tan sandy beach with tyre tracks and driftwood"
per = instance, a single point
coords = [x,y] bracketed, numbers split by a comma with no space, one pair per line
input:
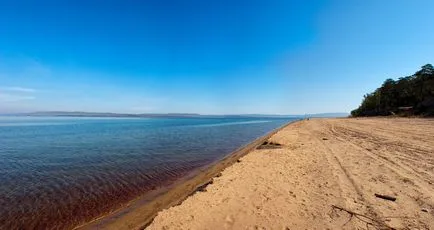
[323,162]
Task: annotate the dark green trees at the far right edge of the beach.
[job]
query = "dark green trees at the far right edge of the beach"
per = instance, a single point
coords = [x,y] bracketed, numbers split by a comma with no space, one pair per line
[410,95]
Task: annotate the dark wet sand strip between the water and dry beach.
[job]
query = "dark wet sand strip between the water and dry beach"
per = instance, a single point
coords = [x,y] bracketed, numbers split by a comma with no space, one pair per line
[140,212]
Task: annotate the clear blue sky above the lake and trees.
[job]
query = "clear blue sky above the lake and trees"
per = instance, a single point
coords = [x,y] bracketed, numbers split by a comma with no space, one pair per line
[209,57]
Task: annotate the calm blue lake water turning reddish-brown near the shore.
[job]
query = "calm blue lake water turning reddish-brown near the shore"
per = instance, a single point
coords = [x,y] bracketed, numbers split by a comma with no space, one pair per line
[57,172]
